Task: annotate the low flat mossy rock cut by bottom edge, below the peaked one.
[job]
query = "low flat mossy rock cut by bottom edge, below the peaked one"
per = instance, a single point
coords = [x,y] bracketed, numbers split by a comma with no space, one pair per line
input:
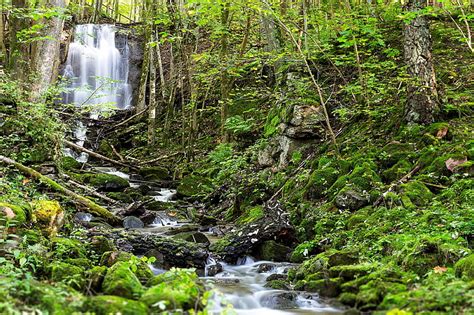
[107,304]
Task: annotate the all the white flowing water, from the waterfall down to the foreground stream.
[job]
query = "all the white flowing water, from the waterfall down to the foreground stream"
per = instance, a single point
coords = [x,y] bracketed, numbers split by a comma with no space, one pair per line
[97,71]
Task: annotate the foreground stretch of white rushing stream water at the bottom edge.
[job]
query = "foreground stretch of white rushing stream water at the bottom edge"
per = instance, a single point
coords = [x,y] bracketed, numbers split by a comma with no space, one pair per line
[243,287]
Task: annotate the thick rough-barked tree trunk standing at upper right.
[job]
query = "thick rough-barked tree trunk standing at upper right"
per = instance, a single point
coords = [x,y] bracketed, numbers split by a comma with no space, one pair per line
[421,106]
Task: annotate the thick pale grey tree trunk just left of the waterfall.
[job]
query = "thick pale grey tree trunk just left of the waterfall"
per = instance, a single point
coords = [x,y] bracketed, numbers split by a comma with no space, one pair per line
[46,60]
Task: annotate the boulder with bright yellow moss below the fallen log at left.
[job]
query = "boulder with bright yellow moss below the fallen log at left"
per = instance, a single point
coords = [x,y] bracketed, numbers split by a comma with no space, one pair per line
[48,214]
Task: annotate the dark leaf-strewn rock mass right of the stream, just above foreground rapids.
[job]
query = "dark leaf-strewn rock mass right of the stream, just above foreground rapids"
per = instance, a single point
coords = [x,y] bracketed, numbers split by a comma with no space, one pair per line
[274,225]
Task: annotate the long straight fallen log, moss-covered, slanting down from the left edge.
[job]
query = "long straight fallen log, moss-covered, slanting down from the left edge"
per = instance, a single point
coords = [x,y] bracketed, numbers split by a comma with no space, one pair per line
[92,207]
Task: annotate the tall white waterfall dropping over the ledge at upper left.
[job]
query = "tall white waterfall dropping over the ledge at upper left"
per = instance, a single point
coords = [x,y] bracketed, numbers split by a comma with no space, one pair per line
[97,71]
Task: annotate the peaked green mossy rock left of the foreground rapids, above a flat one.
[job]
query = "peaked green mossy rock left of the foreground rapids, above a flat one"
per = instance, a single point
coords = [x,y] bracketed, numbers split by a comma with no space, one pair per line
[120,280]
